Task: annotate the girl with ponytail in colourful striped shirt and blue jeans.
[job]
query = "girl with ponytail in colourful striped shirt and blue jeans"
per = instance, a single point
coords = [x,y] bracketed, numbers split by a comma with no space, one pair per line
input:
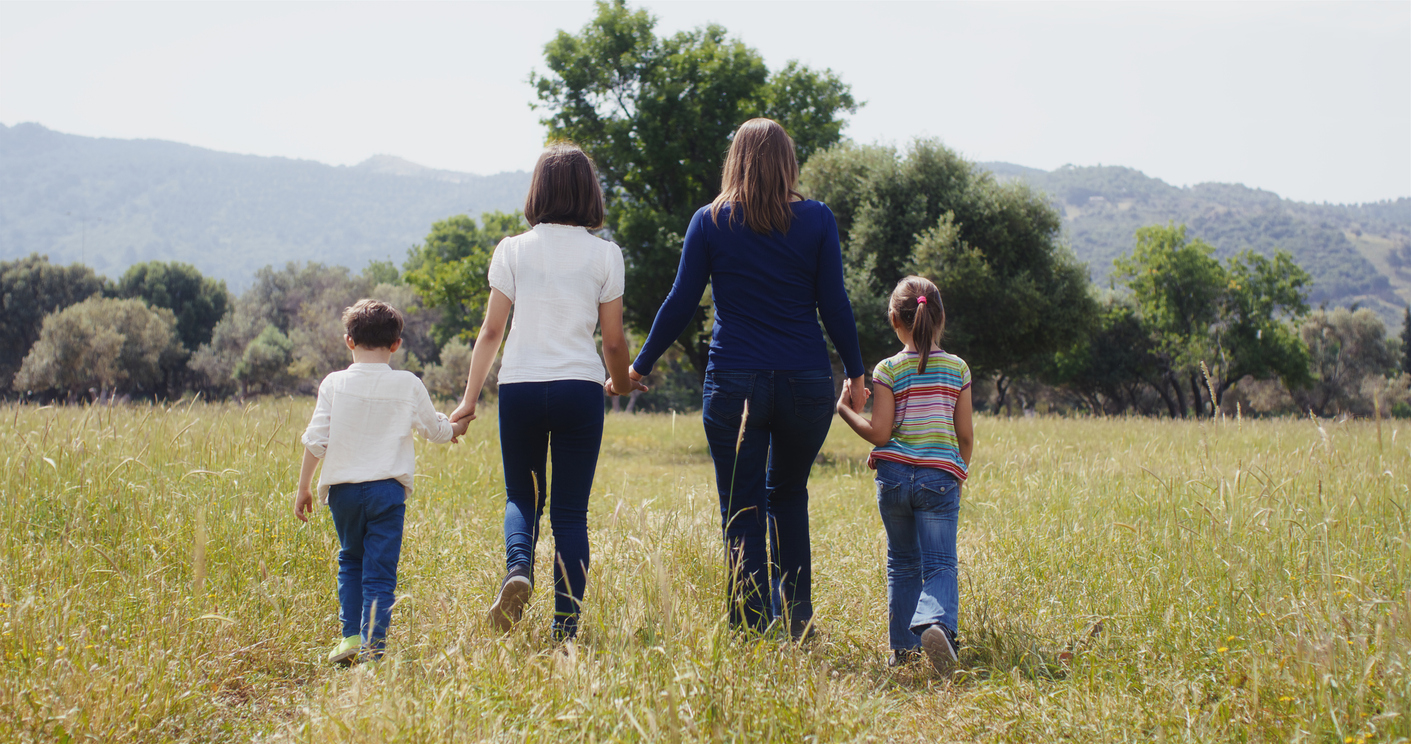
[923,437]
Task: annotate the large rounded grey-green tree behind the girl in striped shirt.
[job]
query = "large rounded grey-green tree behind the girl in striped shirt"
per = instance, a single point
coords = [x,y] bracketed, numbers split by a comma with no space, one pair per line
[1014,296]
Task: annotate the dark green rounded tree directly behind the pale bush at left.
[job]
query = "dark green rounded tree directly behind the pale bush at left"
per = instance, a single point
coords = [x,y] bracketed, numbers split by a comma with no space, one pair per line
[197,301]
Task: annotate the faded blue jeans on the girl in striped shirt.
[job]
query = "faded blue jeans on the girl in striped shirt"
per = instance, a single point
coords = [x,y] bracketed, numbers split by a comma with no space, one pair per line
[919,508]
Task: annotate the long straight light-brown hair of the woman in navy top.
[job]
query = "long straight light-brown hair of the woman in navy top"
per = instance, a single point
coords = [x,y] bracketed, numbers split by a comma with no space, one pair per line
[760,177]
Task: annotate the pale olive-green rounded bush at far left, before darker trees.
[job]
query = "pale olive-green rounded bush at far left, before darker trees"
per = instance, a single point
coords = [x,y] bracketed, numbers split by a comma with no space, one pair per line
[102,344]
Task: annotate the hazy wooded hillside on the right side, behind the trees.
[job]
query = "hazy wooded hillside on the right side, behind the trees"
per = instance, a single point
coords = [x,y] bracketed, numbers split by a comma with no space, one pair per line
[1357,255]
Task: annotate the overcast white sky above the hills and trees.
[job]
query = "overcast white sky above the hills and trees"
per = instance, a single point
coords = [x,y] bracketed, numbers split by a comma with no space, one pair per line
[1312,101]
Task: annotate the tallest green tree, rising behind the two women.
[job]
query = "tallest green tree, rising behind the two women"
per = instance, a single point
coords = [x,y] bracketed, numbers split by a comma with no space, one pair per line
[657,116]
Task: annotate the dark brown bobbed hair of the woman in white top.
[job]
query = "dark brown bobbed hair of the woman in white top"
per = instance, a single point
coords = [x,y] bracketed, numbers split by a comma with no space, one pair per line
[565,188]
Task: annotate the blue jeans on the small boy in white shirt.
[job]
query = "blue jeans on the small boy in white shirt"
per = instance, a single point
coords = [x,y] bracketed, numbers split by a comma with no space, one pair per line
[369,522]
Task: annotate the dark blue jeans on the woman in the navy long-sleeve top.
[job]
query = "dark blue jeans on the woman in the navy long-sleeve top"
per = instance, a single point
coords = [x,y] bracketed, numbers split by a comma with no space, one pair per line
[767,485]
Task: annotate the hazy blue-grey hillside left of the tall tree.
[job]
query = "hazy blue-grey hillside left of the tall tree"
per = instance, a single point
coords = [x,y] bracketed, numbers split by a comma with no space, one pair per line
[116,203]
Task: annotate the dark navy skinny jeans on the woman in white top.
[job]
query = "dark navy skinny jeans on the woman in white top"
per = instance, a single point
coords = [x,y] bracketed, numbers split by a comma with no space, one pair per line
[569,414]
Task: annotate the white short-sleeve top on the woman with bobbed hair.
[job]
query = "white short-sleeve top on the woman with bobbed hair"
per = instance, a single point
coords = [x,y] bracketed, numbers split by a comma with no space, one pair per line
[557,276]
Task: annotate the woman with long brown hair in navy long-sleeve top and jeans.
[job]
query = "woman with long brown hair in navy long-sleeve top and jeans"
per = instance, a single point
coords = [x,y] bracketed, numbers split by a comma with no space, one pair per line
[775,266]
